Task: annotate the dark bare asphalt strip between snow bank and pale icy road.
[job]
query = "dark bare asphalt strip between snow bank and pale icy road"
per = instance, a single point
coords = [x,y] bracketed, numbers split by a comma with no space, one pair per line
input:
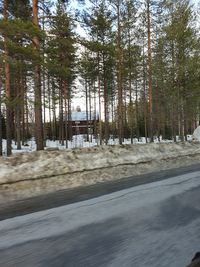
[68,196]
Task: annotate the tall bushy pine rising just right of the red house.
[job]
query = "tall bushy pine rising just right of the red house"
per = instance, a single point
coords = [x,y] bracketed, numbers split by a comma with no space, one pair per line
[99,26]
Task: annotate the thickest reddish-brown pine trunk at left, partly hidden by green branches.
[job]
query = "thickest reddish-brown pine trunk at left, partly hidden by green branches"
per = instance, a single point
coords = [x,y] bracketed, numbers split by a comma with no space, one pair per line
[37,85]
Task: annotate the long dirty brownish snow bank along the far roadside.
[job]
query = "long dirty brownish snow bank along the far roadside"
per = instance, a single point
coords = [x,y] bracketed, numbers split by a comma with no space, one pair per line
[28,174]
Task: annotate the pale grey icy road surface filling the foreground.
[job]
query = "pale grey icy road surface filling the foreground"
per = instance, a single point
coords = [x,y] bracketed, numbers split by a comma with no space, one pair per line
[149,225]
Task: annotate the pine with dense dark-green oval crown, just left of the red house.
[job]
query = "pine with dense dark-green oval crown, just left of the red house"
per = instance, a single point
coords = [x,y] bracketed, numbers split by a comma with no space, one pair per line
[61,65]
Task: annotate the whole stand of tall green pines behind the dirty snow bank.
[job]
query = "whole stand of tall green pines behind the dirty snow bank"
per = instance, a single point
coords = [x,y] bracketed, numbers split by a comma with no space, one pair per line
[134,63]
